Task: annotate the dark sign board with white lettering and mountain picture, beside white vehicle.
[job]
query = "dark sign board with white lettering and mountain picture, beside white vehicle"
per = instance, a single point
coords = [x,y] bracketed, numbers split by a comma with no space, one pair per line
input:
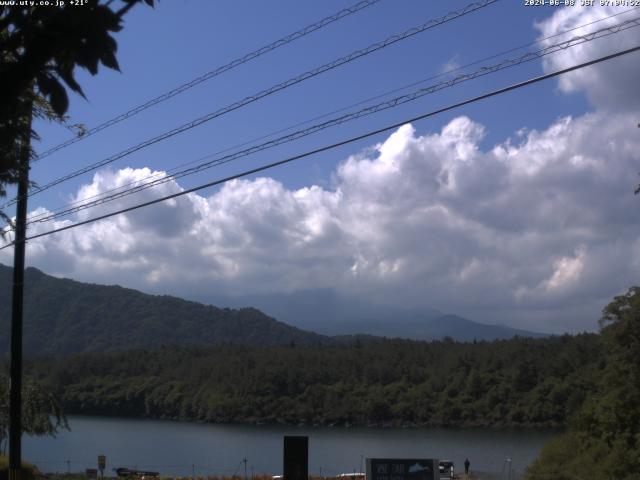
[402,469]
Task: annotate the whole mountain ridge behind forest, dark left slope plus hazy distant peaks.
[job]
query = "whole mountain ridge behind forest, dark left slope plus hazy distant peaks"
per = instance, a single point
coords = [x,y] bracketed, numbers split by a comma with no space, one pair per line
[64,316]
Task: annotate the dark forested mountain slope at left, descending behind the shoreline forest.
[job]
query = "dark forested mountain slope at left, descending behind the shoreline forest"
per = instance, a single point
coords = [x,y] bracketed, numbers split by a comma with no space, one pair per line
[64,316]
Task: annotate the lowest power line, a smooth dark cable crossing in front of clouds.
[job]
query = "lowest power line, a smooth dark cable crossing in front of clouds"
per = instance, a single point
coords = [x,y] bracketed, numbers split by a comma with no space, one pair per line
[338,144]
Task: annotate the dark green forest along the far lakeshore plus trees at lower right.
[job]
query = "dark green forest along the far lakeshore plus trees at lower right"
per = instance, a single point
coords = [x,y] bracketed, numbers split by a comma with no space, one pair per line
[587,385]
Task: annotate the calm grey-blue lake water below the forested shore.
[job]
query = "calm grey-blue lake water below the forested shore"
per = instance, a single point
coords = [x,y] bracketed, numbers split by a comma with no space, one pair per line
[179,448]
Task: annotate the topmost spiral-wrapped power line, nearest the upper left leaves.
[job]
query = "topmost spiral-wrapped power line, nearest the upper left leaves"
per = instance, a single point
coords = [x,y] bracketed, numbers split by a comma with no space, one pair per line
[214,73]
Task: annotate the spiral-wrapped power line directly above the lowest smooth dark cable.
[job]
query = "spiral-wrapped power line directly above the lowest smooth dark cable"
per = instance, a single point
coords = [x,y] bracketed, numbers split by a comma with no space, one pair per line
[577,40]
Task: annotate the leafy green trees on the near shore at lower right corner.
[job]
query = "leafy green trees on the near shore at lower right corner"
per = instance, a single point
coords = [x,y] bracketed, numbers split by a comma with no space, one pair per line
[604,439]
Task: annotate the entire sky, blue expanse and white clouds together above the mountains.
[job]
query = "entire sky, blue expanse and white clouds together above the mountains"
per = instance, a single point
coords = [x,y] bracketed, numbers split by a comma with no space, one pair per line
[528,272]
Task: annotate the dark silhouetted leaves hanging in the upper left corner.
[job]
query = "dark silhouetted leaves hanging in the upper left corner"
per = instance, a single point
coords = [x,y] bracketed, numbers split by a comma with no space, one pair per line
[40,48]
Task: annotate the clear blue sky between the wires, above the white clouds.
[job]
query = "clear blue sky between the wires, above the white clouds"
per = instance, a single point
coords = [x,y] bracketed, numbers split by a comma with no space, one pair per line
[165,47]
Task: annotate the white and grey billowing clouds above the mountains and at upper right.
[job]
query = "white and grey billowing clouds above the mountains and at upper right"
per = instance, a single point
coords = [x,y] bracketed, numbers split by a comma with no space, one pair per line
[539,231]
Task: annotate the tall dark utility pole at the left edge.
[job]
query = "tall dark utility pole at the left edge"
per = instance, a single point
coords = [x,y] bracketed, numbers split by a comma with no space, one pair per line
[15,389]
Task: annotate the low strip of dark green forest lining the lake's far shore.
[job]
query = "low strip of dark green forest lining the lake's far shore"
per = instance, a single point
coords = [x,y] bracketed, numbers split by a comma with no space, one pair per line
[519,382]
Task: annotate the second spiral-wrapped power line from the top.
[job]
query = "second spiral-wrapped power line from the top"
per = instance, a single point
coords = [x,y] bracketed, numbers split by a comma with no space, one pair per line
[264,93]
